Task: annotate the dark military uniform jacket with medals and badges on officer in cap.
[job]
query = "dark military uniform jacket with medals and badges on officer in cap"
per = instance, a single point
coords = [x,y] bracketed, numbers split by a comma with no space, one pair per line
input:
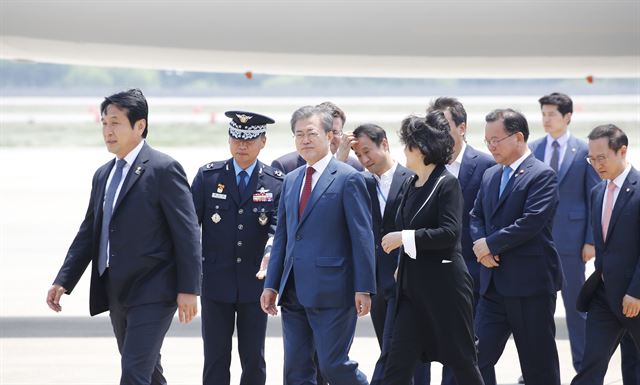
[234,229]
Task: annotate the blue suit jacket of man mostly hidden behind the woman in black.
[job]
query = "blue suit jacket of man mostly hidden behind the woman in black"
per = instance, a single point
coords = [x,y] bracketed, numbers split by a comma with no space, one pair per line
[474,164]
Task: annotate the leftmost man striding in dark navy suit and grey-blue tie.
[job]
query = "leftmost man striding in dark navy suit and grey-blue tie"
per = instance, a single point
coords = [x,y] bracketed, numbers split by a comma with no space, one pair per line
[141,234]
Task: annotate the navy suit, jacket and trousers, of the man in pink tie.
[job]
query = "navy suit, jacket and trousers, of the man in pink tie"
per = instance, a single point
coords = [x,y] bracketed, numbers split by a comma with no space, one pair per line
[617,274]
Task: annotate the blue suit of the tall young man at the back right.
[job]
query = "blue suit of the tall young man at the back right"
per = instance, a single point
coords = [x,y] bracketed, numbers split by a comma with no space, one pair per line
[571,230]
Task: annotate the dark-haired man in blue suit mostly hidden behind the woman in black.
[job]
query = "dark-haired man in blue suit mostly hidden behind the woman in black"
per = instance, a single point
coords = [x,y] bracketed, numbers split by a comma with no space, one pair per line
[468,165]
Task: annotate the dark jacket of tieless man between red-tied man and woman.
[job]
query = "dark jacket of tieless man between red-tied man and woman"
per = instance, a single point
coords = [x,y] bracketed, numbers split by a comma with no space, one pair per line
[386,264]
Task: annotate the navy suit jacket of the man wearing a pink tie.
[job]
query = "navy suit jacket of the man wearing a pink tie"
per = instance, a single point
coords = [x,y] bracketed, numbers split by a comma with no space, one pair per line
[618,258]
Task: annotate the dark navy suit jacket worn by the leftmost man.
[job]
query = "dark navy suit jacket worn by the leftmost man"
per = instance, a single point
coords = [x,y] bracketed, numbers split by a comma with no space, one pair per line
[154,243]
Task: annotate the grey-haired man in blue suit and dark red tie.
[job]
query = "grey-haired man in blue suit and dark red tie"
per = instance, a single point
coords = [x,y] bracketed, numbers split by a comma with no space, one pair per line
[322,260]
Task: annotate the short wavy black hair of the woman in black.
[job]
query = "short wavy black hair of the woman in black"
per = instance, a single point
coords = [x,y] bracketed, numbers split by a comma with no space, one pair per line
[430,135]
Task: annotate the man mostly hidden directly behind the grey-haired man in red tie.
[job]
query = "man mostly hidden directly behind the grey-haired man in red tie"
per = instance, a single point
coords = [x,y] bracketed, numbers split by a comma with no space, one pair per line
[339,146]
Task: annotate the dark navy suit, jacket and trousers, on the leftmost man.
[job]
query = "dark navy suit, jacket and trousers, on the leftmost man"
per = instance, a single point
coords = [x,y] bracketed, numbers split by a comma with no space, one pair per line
[154,254]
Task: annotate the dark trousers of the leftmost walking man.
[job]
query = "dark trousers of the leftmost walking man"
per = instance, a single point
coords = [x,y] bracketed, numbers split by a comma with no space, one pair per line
[139,332]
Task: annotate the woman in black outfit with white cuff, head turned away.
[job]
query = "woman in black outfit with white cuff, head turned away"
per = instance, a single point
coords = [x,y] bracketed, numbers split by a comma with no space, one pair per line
[434,316]
